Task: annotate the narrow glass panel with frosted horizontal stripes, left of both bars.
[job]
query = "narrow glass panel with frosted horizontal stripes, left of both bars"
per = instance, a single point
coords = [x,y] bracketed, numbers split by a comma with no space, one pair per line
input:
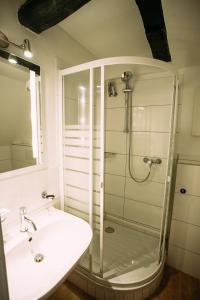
[76,146]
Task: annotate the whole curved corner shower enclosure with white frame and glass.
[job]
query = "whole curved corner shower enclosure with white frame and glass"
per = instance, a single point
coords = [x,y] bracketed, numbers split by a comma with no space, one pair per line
[117,136]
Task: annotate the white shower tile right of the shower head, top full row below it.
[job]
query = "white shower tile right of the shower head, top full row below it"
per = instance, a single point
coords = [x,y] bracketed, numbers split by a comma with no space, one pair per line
[156,91]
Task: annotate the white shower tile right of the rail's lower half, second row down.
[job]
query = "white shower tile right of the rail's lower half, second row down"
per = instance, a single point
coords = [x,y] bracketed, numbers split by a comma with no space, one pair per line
[151,118]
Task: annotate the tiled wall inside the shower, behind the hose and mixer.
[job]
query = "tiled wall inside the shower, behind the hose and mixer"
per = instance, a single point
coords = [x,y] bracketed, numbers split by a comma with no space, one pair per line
[139,203]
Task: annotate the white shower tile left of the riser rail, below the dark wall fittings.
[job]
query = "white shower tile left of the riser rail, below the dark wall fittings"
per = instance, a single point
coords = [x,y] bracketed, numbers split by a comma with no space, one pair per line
[114,119]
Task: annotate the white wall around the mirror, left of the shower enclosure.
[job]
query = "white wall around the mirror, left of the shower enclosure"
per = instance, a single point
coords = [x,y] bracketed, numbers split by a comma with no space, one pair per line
[26,189]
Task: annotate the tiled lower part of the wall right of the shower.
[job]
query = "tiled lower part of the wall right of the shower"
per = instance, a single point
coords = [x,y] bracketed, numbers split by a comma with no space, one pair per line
[184,248]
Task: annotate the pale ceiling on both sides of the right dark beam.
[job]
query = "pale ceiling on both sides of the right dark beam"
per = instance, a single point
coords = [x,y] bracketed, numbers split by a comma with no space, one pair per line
[114,28]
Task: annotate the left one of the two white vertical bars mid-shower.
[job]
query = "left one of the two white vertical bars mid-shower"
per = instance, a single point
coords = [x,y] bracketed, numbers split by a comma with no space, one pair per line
[91,130]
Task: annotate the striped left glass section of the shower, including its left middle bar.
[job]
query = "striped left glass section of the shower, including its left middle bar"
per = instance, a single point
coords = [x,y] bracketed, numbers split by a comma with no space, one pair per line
[81,150]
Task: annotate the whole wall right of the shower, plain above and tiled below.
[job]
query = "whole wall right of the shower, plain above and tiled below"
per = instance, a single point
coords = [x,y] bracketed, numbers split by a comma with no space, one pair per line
[184,247]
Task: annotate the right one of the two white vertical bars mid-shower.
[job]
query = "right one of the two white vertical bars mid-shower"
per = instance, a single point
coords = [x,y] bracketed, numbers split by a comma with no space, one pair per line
[102,171]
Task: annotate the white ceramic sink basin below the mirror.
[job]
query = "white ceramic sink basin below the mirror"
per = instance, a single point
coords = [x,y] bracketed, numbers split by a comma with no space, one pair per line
[59,243]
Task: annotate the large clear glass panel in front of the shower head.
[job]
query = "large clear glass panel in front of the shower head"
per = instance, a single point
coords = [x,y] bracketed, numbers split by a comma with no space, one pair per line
[137,128]
